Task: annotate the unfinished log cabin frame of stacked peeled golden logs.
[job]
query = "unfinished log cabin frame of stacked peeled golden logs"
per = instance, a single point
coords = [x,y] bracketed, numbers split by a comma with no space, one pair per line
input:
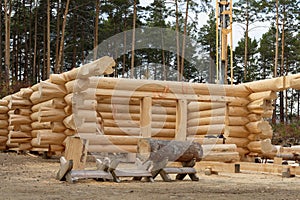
[112,114]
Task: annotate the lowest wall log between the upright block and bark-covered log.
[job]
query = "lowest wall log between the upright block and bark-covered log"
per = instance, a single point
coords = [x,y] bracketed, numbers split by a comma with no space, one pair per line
[113,148]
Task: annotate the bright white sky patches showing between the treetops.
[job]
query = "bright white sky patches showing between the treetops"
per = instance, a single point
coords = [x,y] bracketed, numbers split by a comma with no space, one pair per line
[238,32]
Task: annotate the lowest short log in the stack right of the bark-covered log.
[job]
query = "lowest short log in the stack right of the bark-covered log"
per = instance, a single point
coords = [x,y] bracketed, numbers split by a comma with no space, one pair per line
[227,157]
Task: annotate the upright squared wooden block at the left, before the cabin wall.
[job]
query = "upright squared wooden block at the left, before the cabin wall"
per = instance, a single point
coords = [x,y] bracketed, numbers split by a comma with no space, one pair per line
[76,150]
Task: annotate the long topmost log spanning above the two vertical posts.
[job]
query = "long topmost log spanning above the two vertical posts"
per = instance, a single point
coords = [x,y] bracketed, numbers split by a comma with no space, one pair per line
[163,87]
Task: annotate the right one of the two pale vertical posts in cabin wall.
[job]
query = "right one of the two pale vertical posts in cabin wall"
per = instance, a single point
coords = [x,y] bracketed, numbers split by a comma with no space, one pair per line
[181,120]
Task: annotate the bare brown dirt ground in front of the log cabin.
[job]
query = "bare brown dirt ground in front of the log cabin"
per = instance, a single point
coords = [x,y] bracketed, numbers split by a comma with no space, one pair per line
[26,177]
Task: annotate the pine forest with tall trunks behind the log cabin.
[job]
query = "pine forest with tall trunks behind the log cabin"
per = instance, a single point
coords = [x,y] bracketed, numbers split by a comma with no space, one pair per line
[40,37]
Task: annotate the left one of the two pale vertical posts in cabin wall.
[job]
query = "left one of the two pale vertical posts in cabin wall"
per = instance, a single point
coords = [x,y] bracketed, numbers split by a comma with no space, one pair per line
[146,117]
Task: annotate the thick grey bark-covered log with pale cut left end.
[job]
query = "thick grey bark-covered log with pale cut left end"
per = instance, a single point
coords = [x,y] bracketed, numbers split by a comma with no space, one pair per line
[159,150]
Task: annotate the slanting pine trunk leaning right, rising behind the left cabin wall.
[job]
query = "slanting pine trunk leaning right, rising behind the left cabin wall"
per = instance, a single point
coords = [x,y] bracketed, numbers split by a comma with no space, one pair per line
[61,46]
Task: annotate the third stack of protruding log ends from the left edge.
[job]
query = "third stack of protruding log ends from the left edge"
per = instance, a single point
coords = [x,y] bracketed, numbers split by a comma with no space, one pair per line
[48,114]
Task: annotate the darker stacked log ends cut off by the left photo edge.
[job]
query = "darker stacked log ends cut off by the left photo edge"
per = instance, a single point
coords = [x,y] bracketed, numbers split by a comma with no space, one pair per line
[3,124]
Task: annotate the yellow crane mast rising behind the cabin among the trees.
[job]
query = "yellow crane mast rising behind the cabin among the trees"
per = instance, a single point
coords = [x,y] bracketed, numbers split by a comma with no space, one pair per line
[223,29]
